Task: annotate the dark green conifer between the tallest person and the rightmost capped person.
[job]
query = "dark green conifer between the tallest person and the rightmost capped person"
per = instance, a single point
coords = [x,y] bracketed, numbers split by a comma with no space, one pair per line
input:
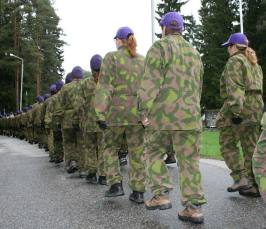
[217,24]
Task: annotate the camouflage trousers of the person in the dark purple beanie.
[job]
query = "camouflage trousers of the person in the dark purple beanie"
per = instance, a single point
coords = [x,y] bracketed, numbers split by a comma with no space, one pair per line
[94,153]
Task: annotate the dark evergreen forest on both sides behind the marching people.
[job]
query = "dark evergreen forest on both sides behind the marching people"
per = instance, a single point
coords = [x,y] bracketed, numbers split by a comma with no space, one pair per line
[29,30]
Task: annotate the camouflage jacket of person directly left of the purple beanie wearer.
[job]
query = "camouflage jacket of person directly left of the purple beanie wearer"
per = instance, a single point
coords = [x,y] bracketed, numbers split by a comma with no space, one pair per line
[65,105]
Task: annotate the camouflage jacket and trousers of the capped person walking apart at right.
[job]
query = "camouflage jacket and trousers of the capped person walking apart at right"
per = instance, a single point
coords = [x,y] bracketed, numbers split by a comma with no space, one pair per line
[241,90]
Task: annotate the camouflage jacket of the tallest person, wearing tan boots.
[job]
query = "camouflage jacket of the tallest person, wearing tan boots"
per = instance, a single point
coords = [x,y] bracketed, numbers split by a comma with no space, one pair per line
[171,86]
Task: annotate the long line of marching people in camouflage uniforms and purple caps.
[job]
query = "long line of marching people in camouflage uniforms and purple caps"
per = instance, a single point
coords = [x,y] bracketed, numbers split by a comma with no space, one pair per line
[149,106]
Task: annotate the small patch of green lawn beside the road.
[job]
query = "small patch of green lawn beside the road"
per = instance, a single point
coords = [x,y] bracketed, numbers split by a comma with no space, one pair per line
[210,146]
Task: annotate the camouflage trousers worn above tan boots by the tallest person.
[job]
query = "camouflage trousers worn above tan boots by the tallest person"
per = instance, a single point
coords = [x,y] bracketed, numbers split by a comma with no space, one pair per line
[186,145]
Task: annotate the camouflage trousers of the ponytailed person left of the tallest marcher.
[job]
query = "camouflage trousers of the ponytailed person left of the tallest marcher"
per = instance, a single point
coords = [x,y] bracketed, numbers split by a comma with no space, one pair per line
[112,141]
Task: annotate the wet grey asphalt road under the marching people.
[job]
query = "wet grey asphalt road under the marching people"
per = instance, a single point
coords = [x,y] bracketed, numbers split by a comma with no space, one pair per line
[37,194]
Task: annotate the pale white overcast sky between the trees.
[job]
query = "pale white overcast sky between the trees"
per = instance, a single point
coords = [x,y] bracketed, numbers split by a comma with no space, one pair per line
[90,26]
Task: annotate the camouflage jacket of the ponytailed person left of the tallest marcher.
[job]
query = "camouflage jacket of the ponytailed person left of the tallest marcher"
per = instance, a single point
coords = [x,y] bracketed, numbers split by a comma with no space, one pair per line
[116,91]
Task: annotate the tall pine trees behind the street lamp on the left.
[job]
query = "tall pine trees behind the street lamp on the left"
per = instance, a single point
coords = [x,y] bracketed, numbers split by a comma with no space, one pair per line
[36,36]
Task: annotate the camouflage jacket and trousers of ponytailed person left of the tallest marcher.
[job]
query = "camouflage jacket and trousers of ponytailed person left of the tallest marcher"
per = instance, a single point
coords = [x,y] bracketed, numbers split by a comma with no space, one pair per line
[116,103]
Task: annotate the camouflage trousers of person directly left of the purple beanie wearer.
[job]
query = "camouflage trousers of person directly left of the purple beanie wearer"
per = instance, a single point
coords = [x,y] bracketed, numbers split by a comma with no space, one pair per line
[74,147]
